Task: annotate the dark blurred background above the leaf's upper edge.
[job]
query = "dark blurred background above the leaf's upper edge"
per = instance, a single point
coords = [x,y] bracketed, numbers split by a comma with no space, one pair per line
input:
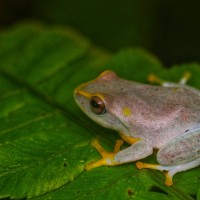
[169,29]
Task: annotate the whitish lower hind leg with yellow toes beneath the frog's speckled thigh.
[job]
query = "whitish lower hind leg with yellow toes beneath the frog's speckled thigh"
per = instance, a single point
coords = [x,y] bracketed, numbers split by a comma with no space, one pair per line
[169,171]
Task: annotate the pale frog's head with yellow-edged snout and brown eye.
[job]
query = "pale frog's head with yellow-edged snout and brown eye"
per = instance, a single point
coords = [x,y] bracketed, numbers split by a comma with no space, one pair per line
[95,98]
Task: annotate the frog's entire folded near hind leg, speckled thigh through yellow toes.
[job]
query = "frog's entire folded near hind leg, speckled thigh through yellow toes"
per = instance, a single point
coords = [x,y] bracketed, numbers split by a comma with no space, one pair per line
[180,154]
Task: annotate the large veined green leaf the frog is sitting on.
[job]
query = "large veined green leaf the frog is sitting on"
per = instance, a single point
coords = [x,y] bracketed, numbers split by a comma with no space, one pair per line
[45,138]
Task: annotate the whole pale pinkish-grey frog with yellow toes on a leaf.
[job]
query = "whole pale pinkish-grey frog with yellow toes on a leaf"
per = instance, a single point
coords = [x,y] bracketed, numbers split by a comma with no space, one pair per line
[164,118]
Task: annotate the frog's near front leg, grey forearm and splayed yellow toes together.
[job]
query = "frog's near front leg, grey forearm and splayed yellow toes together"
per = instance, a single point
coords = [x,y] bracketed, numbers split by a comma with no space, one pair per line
[135,152]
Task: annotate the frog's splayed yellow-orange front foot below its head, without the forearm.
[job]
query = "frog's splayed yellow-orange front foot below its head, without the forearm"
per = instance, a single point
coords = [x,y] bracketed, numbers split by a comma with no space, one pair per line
[107,157]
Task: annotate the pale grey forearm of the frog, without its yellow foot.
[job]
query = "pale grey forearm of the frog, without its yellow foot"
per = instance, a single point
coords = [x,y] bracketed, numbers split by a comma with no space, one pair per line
[136,151]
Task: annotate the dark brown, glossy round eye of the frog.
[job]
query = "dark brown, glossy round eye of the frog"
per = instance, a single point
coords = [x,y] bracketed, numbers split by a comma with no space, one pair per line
[97,105]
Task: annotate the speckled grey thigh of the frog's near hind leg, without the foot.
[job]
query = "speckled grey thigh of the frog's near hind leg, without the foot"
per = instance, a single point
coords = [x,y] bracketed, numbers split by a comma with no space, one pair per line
[181,149]
